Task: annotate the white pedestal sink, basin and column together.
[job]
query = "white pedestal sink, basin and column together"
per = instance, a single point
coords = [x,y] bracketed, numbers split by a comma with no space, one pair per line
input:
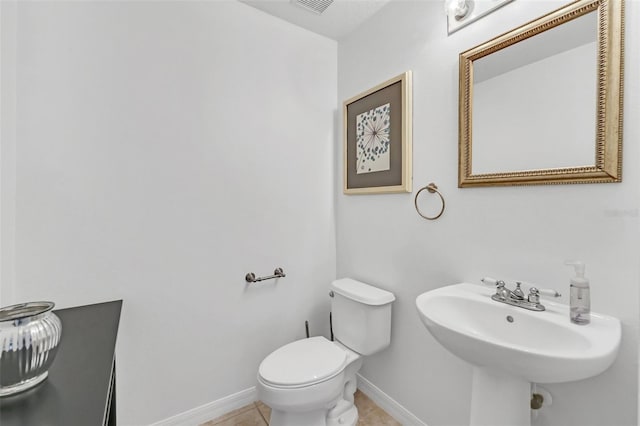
[510,347]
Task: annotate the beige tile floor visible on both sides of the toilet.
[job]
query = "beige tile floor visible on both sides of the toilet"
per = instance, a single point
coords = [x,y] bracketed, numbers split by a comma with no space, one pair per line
[257,414]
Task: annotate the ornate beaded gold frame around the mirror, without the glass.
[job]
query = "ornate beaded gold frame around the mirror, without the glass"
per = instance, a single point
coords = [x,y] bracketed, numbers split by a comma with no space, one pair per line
[607,166]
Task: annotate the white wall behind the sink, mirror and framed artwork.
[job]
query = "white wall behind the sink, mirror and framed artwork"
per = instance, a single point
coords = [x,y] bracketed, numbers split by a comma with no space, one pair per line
[508,232]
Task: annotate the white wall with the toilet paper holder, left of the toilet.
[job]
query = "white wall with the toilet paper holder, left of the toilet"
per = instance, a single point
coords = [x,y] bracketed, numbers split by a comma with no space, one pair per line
[164,150]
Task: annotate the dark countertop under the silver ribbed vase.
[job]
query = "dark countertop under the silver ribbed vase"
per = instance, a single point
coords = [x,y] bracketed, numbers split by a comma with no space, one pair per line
[78,387]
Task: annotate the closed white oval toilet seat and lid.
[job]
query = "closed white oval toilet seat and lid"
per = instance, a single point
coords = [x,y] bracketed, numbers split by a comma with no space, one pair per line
[303,363]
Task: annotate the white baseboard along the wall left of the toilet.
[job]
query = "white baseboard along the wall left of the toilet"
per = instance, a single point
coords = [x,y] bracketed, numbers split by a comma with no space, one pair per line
[211,410]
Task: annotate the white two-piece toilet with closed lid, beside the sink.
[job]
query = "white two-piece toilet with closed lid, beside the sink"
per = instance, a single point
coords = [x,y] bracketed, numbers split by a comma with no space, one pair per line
[311,382]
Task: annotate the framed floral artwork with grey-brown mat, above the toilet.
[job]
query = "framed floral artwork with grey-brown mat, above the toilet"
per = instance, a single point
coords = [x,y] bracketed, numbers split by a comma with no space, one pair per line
[377,139]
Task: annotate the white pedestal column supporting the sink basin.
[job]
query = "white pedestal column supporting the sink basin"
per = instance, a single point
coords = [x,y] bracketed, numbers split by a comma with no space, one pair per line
[499,399]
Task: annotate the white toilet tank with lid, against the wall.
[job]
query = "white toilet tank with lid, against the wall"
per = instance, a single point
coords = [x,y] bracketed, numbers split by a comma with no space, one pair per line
[361,315]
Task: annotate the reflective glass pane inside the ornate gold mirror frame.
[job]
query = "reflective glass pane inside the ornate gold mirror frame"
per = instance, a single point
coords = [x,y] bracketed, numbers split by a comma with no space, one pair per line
[535,102]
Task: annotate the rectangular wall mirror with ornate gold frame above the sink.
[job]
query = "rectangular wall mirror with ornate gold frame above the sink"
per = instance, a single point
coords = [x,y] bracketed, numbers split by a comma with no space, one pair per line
[542,104]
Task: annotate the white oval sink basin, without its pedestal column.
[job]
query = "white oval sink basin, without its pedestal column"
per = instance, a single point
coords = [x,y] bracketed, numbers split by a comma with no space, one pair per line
[541,347]
